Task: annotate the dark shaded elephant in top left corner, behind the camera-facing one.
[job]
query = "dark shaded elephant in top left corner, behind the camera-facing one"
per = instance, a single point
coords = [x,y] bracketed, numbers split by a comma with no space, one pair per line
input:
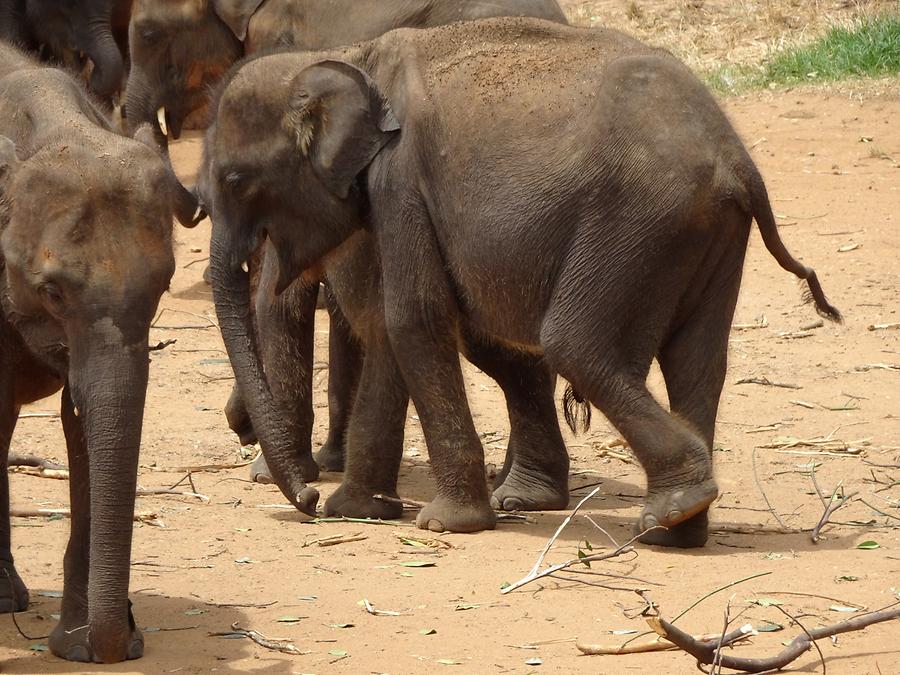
[74,34]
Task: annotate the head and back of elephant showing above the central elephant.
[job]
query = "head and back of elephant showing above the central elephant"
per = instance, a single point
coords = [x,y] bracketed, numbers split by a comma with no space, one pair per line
[180,48]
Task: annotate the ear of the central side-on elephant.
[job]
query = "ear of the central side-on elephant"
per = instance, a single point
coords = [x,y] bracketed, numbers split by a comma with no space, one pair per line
[340,121]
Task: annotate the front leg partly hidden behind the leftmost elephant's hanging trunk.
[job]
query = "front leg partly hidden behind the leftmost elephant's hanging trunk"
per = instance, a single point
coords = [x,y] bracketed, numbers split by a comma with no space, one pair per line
[69,639]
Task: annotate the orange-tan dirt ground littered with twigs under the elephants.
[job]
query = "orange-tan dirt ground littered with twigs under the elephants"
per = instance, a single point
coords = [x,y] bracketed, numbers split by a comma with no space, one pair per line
[830,159]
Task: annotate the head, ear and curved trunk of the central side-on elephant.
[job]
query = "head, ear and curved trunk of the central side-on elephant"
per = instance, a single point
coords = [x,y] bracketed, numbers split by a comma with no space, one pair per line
[286,167]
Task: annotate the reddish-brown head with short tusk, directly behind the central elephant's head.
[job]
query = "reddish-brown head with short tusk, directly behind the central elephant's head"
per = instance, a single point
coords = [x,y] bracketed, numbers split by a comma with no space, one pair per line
[179,49]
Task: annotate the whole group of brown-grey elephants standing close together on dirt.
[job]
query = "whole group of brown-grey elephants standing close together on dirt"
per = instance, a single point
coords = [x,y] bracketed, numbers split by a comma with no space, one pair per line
[466,177]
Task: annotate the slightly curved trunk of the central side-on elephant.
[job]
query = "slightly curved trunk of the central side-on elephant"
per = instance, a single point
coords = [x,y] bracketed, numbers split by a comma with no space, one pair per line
[231,291]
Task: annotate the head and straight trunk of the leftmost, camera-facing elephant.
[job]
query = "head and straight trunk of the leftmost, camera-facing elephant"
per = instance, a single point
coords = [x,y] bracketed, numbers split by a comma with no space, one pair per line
[85,254]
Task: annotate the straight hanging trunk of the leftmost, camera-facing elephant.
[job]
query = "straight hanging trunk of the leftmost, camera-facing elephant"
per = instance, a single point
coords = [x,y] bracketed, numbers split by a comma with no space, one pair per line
[108,381]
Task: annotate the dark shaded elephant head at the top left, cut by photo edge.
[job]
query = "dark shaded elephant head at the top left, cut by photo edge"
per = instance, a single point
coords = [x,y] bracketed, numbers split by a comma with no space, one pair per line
[74,32]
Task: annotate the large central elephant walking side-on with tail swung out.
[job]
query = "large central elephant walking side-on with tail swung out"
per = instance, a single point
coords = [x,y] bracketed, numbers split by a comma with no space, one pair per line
[566,192]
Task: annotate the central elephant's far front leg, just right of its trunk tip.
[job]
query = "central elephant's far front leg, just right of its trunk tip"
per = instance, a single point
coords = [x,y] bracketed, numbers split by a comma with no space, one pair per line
[374,440]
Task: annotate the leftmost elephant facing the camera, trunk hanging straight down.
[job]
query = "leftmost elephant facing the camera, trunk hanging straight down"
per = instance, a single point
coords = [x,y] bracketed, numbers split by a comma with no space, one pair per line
[85,254]
